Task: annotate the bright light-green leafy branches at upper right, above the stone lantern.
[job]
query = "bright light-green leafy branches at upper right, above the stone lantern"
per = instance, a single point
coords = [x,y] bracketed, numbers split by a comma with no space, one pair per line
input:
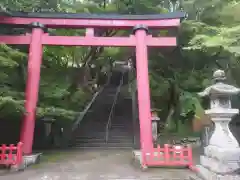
[209,36]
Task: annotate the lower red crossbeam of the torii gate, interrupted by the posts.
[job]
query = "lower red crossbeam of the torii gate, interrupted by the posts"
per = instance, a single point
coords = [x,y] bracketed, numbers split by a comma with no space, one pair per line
[91,41]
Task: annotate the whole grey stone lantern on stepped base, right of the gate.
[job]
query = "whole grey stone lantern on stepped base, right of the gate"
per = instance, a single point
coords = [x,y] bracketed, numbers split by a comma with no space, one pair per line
[221,159]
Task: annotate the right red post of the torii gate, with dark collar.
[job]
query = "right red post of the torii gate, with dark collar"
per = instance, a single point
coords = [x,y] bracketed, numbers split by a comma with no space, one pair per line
[143,90]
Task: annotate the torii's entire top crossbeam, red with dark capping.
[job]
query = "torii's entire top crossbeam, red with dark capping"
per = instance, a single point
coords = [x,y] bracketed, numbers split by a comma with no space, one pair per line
[66,20]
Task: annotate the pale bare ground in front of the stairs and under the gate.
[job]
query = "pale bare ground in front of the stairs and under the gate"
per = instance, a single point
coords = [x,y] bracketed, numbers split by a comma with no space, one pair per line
[95,165]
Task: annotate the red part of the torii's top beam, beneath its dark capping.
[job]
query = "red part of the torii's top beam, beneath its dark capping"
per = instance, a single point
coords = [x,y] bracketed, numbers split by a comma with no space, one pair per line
[86,23]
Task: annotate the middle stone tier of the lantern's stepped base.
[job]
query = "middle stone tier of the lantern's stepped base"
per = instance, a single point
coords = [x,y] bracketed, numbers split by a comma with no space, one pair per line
[218,166]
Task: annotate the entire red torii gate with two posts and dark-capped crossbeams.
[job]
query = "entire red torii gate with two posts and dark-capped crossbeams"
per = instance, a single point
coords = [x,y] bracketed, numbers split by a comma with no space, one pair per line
[39,22]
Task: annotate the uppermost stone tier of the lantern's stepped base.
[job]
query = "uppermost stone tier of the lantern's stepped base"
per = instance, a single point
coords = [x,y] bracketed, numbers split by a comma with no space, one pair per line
[223,154]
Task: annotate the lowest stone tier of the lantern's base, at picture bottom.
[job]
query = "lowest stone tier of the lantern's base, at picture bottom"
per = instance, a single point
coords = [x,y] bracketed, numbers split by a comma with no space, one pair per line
[206,174]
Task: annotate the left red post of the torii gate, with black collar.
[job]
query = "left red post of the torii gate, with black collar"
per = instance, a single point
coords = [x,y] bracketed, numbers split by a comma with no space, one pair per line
[34,66]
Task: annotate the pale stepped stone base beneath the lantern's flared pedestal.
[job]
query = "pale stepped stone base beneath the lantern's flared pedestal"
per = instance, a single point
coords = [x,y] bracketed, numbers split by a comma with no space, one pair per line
[219,164]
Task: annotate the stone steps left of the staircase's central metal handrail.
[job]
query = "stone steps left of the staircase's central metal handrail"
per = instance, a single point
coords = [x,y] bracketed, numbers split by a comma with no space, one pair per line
[92,130]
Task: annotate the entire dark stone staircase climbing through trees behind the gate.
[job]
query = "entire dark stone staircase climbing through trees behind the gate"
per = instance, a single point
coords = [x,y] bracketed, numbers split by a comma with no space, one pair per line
[92,130]
